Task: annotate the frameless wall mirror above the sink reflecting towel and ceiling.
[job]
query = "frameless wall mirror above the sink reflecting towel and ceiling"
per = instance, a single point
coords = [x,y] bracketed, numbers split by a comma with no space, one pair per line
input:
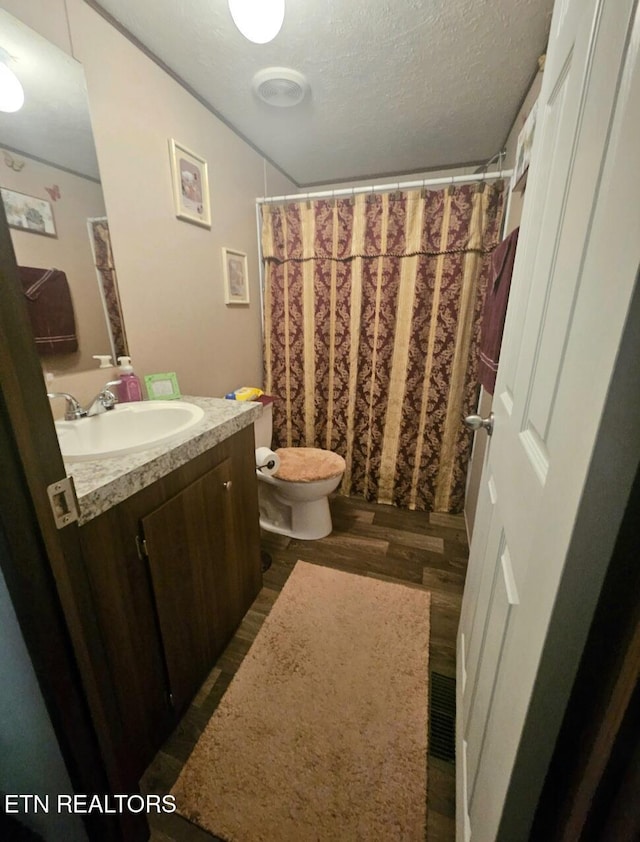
[55,208]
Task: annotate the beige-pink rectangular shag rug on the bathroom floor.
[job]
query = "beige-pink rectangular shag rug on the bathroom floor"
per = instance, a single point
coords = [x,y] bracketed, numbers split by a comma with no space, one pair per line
[322,734]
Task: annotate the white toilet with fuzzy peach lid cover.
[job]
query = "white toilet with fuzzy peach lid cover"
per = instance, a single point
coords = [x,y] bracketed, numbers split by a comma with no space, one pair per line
[294,500]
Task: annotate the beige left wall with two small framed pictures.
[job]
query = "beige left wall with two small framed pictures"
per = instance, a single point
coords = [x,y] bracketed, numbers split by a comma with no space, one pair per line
[169,271]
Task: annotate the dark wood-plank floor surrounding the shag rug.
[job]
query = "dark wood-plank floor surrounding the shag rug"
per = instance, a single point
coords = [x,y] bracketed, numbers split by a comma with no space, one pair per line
[428,550]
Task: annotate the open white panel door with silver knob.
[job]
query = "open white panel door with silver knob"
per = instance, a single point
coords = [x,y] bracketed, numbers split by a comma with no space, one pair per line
[578,255]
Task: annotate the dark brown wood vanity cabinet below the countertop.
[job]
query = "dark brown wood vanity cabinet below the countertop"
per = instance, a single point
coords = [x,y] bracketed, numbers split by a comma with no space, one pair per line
[173,570]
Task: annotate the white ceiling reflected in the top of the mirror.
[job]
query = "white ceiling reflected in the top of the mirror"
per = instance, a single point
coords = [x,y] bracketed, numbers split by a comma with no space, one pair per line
[54,123]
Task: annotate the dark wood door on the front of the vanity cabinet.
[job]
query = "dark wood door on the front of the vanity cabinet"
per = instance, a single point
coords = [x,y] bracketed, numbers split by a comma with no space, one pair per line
[187,541]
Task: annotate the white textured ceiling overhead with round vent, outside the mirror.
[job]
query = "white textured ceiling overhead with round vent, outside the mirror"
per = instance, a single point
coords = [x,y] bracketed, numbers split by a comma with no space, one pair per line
[397,86]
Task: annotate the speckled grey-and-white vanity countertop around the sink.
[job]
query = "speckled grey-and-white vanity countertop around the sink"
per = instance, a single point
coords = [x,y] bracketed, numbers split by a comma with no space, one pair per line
[102,483]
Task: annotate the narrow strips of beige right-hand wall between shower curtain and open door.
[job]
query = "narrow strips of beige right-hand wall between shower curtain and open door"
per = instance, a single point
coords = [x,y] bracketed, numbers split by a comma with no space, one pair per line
[512,221]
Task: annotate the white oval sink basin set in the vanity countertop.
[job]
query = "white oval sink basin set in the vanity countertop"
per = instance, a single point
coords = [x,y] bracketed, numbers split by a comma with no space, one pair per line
[126,428]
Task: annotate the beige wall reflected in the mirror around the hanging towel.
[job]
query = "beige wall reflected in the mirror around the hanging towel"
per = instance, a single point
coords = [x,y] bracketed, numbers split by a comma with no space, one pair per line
[69,251]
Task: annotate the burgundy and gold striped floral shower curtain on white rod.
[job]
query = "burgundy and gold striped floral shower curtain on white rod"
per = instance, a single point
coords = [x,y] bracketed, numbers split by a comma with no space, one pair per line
[372,313]
